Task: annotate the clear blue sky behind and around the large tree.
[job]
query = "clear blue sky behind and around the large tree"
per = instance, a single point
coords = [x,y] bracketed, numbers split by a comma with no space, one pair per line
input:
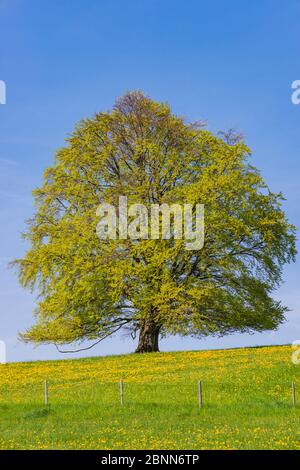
[229,62]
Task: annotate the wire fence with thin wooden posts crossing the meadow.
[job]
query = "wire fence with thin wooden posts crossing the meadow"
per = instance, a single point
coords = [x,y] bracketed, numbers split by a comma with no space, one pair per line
[199,393]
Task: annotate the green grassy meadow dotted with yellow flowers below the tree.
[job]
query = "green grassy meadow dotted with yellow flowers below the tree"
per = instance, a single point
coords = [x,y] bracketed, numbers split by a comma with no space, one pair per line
[246,402]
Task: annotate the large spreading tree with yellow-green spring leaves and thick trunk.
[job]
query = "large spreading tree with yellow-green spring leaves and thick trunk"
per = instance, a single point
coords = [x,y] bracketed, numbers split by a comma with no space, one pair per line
[88,289]
